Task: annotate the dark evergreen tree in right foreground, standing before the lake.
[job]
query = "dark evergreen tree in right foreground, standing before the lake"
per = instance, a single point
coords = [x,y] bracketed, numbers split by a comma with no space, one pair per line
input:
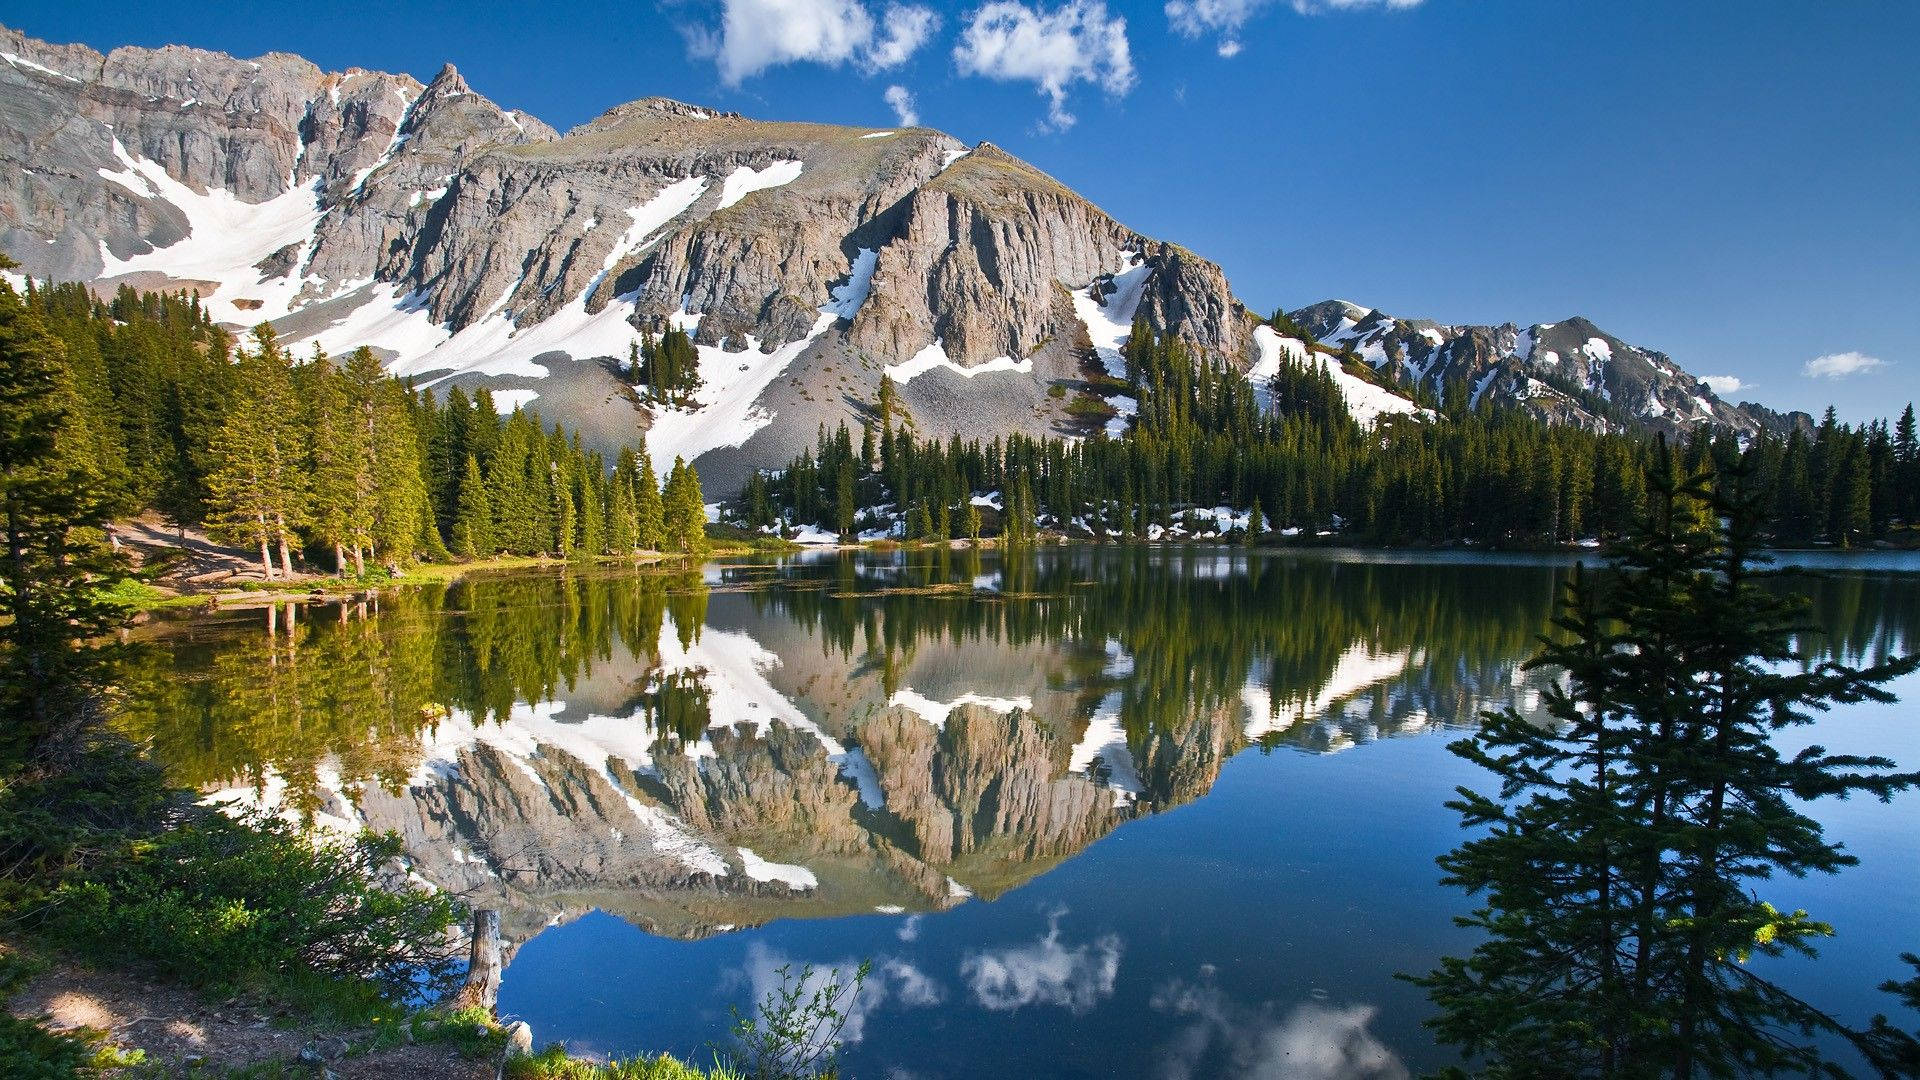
[1618,858]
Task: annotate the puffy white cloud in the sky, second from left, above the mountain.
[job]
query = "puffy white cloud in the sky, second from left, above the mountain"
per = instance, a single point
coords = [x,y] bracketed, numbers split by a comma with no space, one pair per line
[1074,43]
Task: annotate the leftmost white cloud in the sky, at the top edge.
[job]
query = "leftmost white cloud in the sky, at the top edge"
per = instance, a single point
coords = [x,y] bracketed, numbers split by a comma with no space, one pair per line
[765,34]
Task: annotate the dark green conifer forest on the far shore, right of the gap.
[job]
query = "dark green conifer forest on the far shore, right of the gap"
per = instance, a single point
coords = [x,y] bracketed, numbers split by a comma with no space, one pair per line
[1203,439]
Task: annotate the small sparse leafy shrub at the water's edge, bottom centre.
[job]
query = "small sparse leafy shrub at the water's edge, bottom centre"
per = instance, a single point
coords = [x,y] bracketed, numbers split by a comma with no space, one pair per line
[796,1033]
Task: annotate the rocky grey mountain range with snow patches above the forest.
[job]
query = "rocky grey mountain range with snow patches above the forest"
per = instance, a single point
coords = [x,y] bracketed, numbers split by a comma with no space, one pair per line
[473,245]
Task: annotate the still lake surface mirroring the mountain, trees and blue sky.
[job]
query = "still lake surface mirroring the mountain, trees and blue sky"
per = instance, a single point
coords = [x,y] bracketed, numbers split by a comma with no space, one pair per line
[673,785]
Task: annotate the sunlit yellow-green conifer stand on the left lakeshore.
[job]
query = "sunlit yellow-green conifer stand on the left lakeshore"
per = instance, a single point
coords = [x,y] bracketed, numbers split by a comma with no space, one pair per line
[335,464]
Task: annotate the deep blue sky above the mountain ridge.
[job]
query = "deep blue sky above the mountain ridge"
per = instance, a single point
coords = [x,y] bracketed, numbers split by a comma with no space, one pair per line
[1731,182]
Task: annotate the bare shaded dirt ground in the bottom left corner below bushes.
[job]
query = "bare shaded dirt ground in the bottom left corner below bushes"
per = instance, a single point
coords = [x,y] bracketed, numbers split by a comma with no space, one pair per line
[193,1037]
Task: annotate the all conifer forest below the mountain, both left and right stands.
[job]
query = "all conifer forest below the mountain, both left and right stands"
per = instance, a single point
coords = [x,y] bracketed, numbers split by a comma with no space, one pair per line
[345,468]
